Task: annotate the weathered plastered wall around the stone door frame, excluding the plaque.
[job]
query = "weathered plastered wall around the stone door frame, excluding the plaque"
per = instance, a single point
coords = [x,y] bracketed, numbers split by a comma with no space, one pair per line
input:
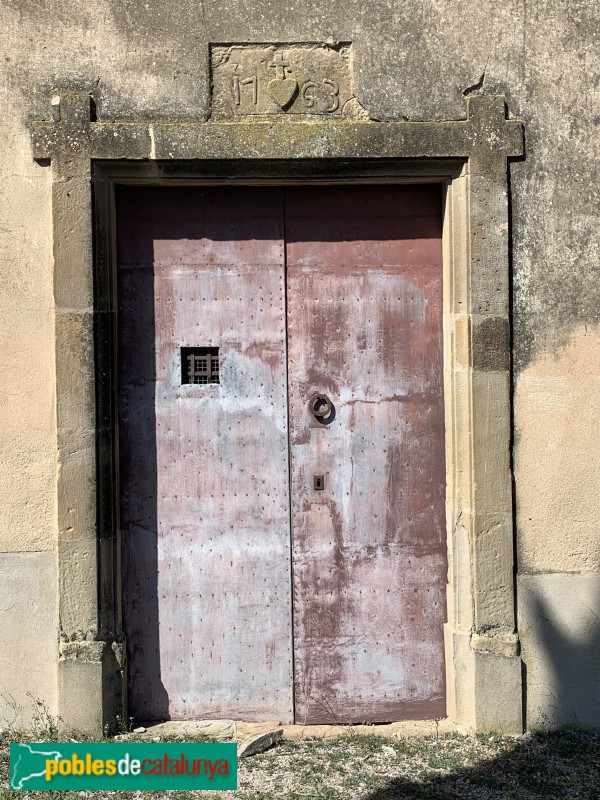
[149,59]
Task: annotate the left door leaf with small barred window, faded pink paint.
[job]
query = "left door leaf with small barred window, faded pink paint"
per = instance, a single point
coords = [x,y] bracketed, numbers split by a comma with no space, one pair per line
[204,466]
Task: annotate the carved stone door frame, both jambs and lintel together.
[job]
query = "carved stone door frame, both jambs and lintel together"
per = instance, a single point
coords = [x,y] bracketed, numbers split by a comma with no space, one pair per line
[483,667]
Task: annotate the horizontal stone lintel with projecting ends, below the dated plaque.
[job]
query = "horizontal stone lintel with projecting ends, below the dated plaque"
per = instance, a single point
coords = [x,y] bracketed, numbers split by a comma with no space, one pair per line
[485,138]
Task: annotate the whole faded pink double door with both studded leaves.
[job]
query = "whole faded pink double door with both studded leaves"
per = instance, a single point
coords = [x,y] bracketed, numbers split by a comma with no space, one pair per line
[281,450]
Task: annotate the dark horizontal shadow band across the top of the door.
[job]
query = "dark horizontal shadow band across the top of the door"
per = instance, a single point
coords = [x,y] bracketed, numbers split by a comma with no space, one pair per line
[349,213]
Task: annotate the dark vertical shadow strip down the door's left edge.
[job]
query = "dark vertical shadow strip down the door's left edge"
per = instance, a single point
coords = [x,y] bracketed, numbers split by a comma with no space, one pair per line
[136,381]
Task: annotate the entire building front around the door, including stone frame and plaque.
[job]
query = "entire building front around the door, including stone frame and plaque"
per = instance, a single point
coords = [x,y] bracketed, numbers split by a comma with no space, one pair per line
[498,106]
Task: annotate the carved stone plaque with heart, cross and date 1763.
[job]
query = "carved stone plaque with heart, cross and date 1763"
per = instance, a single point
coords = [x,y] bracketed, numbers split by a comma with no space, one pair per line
[293,79]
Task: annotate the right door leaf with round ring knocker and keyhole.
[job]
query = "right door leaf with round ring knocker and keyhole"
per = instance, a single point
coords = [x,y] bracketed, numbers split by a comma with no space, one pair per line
[369,563]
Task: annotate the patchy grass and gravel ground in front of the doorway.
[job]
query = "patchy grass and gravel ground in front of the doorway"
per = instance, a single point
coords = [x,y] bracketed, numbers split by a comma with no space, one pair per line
[563,764]
